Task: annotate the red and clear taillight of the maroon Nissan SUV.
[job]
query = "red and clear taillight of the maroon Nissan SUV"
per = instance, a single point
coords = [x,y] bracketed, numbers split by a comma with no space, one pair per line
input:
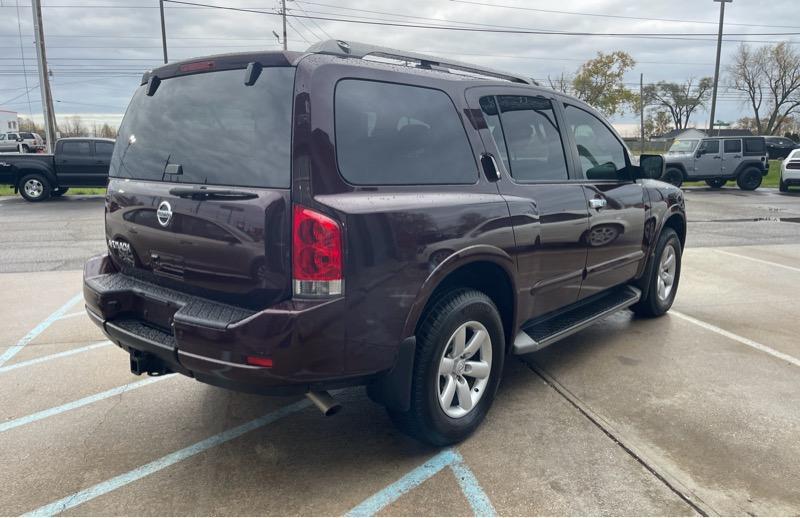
[316,254]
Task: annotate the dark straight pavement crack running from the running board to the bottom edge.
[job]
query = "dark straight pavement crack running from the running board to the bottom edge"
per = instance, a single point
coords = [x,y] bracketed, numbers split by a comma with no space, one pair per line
[685,494]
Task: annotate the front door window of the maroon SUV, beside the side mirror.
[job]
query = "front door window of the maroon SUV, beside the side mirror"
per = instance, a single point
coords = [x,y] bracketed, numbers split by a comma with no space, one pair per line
[602,155]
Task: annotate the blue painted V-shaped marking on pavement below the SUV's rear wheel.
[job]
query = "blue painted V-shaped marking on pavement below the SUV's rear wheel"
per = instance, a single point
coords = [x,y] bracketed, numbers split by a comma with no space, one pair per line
[478,501]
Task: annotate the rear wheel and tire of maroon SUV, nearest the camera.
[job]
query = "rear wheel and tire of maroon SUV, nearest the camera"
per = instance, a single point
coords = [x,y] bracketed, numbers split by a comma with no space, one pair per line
[457,368]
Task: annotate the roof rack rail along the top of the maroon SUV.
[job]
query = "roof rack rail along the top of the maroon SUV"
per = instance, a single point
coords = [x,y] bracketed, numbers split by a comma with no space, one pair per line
[362,50]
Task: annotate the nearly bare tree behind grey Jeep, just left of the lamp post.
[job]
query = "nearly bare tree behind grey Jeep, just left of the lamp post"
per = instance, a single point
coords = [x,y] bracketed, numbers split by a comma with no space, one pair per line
[680,100]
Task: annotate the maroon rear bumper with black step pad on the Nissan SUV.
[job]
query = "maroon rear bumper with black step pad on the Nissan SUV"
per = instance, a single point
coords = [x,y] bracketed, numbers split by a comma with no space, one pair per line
[210,341]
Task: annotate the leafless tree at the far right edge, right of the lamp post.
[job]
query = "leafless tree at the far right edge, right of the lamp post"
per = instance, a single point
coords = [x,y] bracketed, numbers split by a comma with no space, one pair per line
[770,78]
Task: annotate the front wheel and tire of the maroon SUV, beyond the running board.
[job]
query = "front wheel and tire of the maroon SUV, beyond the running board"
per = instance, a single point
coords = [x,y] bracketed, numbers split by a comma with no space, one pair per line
[663,278]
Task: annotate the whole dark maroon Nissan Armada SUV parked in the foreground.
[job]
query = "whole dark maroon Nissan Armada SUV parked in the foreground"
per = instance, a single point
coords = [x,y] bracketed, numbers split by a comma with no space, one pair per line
[287,223]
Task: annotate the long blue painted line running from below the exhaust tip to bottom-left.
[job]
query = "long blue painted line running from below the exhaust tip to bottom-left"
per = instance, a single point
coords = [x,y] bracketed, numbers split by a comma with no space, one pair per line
[166,461]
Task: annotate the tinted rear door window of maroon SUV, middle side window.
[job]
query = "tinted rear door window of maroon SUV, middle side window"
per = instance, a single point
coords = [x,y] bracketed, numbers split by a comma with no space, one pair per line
[531,137]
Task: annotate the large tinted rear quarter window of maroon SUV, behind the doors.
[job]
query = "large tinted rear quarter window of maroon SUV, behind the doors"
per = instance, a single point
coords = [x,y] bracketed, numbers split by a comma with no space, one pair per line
[390,134]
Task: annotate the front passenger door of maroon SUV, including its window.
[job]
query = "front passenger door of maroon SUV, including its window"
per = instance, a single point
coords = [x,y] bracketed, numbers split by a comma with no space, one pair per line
[617,203]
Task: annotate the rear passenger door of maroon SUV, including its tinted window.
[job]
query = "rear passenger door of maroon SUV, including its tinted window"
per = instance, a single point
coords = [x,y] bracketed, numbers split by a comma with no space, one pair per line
[547,205]
